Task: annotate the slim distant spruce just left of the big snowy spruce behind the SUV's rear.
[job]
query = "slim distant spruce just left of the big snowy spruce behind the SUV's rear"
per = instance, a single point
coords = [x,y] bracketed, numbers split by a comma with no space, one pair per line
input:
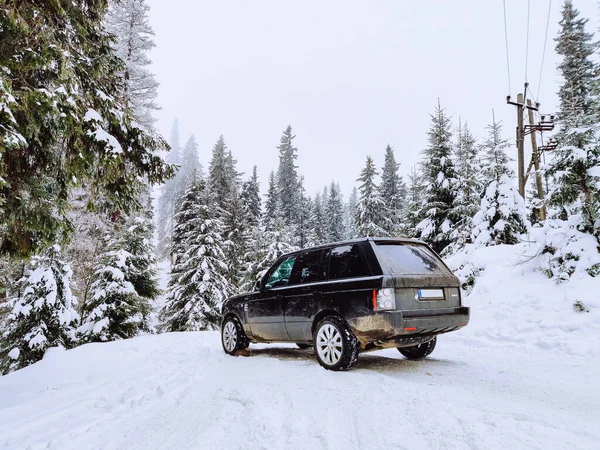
[392,191]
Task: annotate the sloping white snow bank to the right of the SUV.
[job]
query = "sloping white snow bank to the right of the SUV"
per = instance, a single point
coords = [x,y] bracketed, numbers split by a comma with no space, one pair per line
[514,303]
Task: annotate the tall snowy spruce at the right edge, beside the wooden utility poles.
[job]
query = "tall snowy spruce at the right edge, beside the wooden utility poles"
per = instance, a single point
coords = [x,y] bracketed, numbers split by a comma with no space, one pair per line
[575,168]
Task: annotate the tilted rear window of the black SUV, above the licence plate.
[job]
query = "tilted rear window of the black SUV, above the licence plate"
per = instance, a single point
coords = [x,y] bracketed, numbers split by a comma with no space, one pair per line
[409,259]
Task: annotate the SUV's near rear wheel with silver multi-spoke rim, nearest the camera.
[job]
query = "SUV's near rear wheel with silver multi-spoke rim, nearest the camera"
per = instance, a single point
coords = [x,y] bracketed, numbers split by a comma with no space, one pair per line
[335,345]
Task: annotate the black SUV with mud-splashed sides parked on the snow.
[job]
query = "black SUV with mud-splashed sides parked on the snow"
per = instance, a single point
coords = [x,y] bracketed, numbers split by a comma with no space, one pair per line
[349,297]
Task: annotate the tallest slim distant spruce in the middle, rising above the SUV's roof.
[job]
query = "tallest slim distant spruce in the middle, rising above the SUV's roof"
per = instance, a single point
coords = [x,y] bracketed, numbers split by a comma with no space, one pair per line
[288,187]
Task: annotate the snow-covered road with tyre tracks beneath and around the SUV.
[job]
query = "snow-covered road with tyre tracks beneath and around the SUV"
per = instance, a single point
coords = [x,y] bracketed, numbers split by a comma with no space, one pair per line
[180,391]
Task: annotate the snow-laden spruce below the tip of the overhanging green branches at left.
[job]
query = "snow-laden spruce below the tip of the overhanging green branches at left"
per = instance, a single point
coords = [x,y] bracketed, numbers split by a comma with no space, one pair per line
[125,285]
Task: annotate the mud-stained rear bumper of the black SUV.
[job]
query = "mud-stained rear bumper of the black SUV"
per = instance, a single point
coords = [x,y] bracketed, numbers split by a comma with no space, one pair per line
[406,328]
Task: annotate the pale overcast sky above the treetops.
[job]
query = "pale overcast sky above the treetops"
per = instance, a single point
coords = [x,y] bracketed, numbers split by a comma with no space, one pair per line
[349,76]
